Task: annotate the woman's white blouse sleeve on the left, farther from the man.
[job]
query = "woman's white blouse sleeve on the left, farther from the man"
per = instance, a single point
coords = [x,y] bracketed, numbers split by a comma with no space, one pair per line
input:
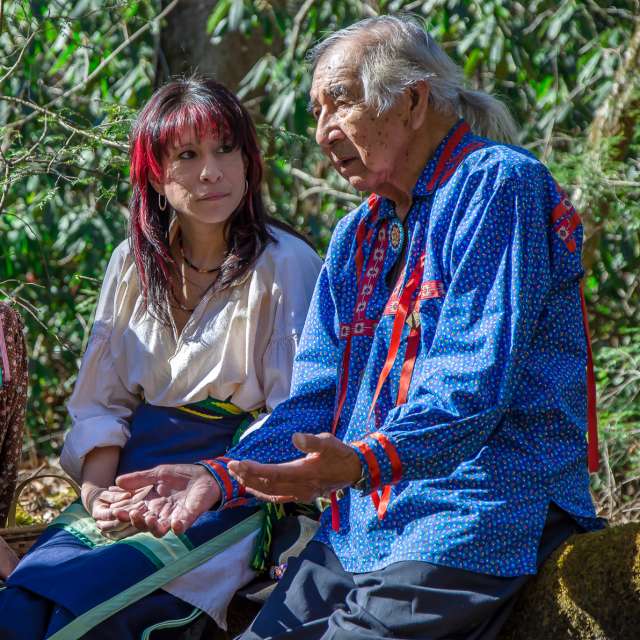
[100,405]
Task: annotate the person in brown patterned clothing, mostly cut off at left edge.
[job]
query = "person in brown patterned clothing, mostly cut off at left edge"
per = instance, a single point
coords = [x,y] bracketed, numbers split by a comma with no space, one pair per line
[13,401]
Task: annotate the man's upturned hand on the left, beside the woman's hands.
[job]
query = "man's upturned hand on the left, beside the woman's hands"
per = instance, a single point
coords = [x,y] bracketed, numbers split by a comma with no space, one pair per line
[185,492]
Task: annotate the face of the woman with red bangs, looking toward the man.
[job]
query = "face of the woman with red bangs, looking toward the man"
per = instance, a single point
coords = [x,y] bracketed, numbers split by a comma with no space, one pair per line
[203,178]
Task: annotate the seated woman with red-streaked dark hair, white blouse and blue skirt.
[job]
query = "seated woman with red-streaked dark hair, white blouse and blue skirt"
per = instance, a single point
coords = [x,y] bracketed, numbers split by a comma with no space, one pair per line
[195,333]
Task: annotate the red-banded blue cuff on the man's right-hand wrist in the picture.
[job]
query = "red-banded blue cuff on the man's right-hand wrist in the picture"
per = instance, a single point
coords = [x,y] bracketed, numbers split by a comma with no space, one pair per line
[380,461]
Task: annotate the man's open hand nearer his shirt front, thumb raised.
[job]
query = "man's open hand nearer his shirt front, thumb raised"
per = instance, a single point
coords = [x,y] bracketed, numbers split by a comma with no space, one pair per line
[329,465]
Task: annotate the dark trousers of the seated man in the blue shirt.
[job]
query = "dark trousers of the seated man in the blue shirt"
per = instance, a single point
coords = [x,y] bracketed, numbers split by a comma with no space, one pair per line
[318,599]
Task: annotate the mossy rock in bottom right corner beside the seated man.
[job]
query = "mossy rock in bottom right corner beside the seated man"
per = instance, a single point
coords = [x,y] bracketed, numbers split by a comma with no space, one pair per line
[589,589]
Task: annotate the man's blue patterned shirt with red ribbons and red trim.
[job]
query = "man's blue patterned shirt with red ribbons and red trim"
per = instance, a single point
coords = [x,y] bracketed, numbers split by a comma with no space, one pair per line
[493,427]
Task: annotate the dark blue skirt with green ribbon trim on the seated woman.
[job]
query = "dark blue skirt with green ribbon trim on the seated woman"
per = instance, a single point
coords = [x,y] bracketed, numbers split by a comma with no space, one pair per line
[74,581]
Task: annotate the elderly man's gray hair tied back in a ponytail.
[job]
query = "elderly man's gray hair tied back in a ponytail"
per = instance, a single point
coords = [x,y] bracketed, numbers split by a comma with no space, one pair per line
[396,53]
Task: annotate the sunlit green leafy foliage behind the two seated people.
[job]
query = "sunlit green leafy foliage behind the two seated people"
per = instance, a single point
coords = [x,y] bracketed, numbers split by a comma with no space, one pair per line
[72,75]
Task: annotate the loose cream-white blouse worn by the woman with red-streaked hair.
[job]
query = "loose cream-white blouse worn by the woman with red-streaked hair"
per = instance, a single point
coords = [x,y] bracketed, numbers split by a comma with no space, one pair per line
[238,345]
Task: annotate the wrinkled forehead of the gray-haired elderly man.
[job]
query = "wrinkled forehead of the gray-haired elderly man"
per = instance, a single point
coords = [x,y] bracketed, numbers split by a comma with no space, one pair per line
[337,70]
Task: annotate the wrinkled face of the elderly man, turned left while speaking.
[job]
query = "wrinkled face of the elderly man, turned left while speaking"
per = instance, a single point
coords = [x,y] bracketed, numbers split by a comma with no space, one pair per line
[366,149]
